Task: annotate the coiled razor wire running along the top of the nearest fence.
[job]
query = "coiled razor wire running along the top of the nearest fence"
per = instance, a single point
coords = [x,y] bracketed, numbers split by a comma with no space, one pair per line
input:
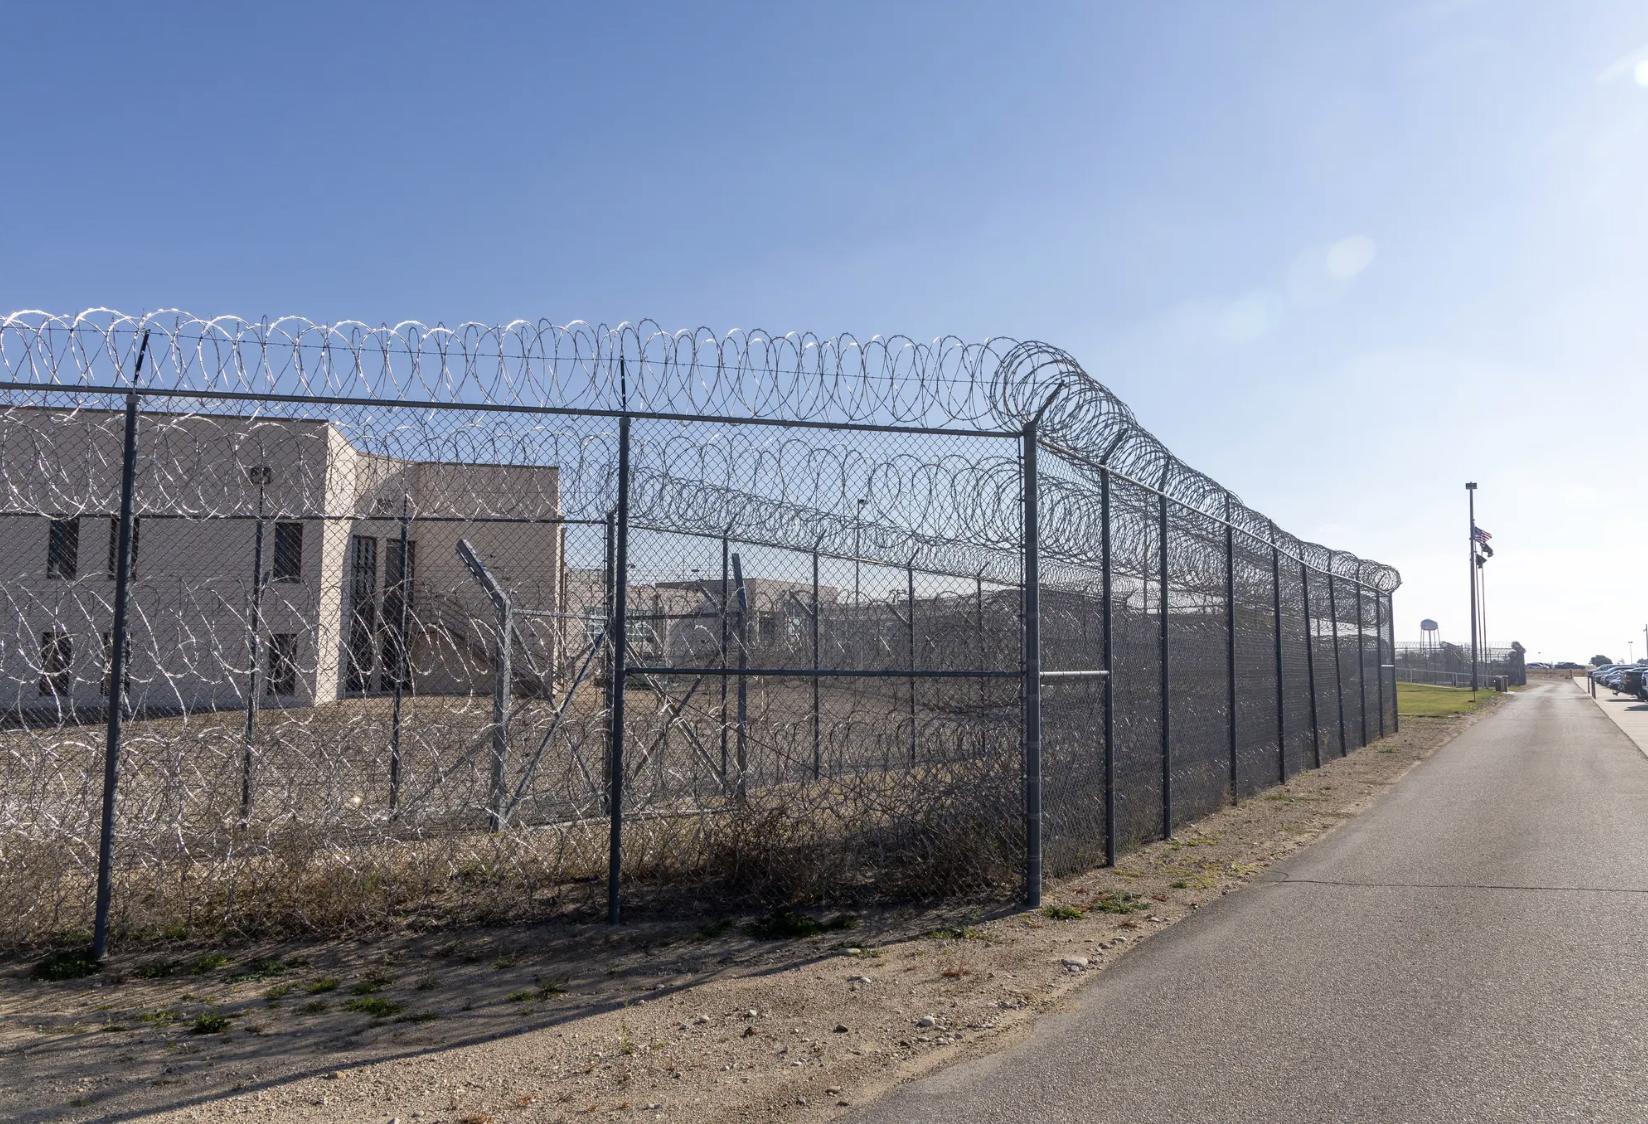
[642,370]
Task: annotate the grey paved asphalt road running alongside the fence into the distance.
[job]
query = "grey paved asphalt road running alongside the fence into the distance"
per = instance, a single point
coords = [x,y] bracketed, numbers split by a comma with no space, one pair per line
[1472,948]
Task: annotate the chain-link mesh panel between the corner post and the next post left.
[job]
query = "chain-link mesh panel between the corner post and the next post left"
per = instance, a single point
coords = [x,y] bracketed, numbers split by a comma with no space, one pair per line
[823,693]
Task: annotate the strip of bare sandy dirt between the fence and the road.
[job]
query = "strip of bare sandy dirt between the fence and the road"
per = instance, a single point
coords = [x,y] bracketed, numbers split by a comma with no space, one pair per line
[657,1021]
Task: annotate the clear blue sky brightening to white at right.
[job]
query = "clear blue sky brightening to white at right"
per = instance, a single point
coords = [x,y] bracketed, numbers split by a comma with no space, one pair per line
[1342,258]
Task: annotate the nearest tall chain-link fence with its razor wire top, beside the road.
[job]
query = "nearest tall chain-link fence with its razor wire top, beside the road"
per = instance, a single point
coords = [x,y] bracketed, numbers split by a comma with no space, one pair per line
[327,627]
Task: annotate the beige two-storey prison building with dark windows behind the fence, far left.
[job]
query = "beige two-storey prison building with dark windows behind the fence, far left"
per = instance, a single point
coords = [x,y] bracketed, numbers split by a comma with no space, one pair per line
[306,505]
